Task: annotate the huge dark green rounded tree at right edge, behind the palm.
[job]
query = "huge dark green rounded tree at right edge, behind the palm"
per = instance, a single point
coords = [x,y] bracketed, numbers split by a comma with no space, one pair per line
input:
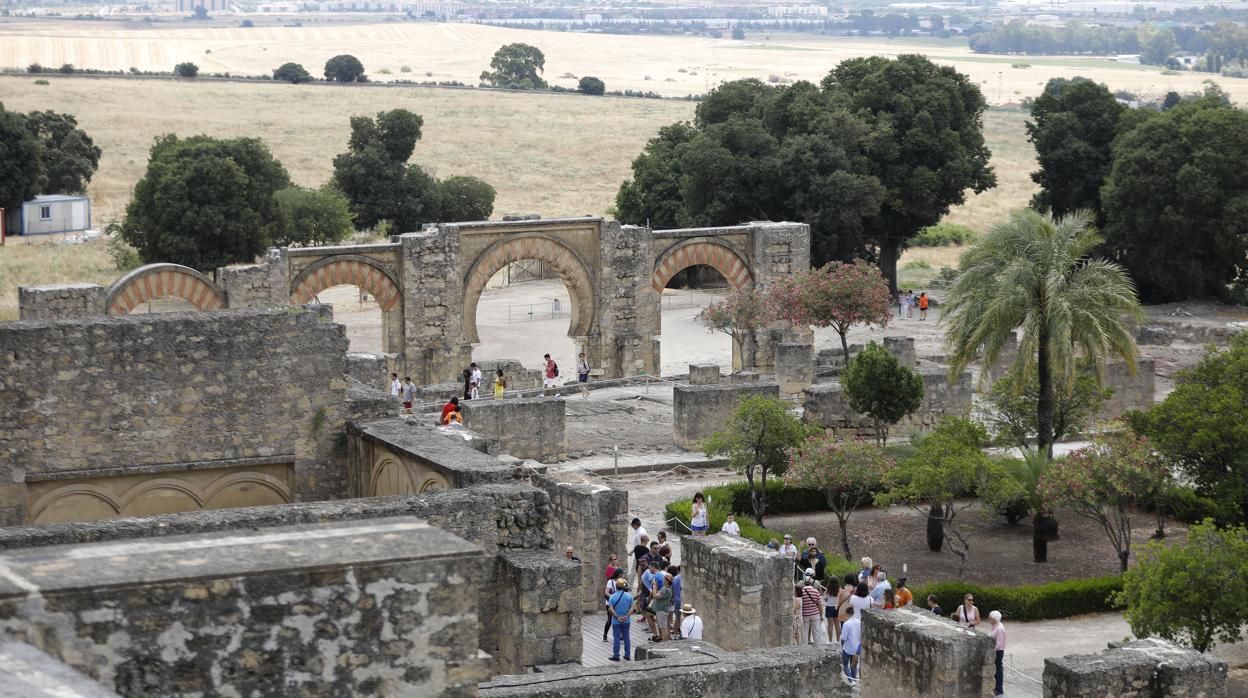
[1176,200]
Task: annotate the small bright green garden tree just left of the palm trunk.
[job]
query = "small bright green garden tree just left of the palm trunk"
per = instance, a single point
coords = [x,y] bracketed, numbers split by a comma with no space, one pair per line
[947,466]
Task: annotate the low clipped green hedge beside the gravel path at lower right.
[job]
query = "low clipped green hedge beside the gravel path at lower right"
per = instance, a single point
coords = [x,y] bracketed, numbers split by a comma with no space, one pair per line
[1034,602]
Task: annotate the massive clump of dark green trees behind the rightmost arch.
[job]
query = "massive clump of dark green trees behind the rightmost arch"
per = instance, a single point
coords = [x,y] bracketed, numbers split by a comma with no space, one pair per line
[877,153]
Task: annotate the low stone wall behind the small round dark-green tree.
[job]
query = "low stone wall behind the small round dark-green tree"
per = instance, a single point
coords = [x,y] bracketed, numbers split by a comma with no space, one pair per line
[827,405]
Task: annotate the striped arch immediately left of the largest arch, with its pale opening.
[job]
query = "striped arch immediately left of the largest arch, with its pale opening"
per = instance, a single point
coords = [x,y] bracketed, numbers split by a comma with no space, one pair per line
[360,289]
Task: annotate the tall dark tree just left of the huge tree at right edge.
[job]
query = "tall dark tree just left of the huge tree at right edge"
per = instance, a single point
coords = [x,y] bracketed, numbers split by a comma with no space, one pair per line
[1073,128]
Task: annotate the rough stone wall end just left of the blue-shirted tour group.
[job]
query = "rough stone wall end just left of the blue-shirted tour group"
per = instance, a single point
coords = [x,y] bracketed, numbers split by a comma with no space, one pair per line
[593,520]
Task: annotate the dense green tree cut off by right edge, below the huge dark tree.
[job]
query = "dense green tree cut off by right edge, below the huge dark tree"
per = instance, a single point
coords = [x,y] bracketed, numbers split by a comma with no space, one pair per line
[1201,426]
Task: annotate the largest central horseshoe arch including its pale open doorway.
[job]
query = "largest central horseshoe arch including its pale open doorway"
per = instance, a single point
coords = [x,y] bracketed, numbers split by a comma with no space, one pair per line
[552,315]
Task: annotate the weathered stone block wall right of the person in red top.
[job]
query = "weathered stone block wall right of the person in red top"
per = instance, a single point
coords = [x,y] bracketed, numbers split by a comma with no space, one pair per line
[529,428]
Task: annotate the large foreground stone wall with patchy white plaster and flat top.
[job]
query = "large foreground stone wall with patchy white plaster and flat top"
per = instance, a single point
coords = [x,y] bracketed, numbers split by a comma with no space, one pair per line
[364,609]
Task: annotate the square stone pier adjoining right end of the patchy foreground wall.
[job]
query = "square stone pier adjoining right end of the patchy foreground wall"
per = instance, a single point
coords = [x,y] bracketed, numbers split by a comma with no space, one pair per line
[539,619]
